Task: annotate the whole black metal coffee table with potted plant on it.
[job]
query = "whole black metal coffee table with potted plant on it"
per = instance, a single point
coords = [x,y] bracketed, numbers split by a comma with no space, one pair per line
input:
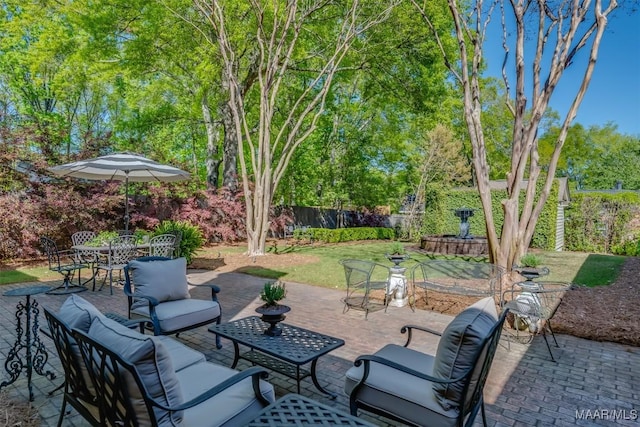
[285,353]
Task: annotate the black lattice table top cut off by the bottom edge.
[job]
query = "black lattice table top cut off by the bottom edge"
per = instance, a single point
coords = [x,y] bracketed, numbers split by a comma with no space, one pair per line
[295,410]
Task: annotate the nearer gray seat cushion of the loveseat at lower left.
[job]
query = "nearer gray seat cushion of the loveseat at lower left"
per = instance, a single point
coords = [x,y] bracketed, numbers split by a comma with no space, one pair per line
[235,406]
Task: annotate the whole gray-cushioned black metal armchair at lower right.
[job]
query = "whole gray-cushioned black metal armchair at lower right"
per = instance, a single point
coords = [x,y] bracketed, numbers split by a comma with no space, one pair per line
[420,389]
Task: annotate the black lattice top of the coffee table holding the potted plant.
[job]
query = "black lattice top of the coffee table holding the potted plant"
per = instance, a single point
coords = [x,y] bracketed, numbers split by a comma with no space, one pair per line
[295,345]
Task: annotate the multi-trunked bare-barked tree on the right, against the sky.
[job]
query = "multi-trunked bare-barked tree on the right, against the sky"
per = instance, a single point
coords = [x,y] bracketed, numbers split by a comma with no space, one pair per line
[564,33]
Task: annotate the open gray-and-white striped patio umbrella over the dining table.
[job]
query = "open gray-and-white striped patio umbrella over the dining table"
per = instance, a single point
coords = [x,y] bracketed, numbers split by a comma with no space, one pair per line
[121,167]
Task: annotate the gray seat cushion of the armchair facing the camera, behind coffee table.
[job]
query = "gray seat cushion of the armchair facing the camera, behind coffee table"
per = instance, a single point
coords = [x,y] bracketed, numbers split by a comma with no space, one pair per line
[176,315]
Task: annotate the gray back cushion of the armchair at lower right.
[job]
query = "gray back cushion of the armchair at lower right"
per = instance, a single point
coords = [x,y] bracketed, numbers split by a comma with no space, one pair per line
[458,348]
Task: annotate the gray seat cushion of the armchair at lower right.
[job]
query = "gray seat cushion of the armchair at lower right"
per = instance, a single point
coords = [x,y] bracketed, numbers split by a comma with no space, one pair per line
[399,393]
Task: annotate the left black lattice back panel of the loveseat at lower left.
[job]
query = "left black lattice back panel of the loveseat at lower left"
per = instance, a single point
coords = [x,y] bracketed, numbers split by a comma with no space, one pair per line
[75,387]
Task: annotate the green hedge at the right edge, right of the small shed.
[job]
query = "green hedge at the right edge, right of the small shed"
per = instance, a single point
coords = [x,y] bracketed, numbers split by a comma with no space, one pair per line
[603,222]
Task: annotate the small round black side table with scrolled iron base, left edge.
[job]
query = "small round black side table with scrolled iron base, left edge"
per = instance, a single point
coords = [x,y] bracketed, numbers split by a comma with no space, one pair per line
[35,354]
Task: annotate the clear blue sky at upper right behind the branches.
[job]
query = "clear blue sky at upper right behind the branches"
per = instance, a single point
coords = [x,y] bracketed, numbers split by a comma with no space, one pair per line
[614,92]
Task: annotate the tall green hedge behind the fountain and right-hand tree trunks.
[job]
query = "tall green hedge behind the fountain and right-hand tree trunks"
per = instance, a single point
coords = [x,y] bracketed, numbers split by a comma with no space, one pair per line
[440,219]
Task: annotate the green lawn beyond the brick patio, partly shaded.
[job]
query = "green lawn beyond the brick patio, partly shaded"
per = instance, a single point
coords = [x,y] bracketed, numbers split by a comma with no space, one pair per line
[325,270]
